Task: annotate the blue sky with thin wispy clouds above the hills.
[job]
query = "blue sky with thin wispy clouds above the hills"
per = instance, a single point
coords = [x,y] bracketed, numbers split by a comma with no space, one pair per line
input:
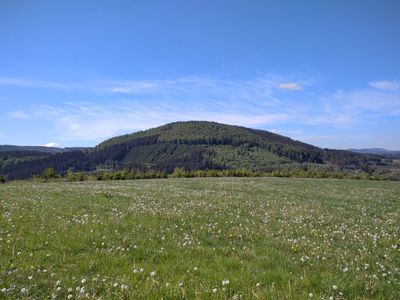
[78,72]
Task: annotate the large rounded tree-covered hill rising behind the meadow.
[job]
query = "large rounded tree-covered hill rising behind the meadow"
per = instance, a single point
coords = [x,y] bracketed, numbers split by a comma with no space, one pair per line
[202,145]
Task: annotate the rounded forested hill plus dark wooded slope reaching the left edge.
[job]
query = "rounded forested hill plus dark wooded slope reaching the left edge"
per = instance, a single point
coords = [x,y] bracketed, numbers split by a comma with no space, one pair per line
[194,145]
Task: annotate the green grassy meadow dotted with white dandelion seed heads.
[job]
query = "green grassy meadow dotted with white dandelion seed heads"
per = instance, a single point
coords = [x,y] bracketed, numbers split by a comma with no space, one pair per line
[224,238]
